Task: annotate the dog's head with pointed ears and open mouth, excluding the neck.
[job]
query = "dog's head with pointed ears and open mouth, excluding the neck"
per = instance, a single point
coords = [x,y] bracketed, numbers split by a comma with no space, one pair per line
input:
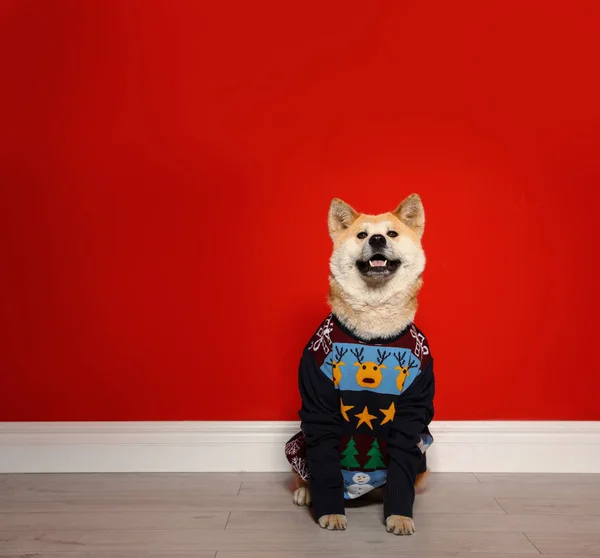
[377,252]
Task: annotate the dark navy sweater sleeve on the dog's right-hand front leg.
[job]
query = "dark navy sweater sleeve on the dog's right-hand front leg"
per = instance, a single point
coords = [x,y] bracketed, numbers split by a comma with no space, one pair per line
[414,412]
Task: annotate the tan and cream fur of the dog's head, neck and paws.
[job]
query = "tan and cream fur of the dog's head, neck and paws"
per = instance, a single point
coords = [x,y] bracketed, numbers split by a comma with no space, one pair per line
[374,308]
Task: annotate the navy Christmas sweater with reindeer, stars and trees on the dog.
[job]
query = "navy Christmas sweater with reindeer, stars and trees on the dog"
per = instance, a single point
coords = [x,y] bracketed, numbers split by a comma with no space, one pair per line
[365,411]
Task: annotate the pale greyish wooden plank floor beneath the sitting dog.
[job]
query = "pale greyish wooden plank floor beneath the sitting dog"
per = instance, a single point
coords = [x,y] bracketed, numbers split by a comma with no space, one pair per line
[252,516]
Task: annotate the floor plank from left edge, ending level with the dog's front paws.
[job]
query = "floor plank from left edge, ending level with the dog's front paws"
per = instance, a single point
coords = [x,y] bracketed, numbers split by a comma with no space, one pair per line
[117,520]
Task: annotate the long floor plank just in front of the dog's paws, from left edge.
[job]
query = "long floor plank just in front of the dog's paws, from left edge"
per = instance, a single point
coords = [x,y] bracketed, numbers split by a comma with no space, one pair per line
[319,540]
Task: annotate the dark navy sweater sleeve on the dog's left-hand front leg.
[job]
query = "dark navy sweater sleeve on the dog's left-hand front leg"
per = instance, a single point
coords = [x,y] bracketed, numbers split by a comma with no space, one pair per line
[322,428]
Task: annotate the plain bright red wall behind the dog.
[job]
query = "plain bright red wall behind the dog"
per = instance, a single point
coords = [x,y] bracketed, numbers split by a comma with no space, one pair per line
[166,169]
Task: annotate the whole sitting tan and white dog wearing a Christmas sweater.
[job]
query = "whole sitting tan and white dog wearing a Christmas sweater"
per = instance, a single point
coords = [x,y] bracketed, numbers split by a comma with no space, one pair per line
[361,415]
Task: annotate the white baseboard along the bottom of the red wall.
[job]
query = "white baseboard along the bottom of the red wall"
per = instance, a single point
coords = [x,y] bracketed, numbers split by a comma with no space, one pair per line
[53,447]
